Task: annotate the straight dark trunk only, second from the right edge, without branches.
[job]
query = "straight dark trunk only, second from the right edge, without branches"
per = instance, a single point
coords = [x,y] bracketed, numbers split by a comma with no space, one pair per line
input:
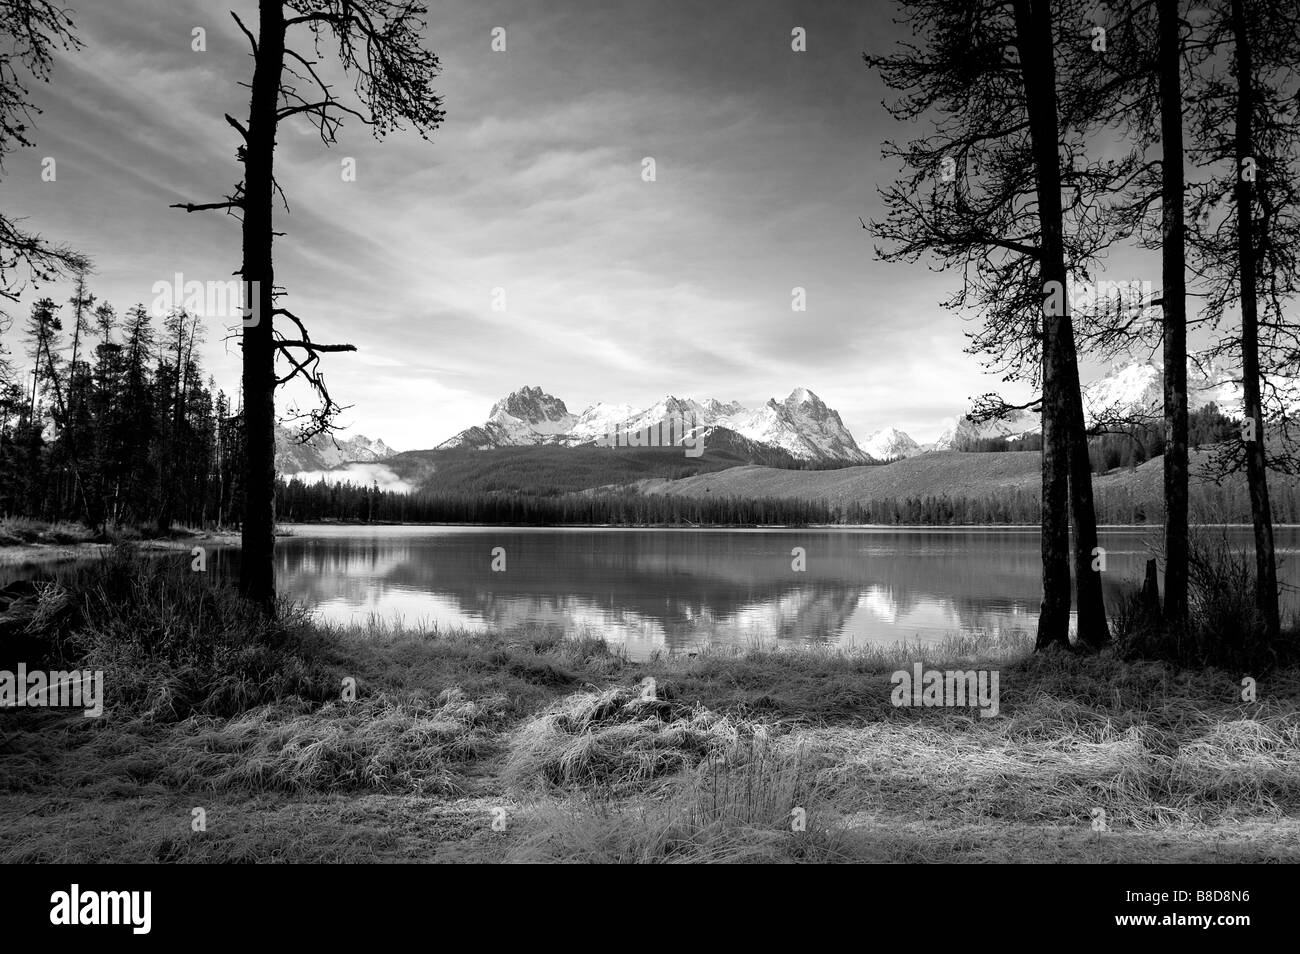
[1175,307]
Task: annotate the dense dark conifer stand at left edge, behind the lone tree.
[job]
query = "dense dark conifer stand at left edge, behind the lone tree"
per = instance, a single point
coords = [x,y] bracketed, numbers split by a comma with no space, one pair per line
[114,424]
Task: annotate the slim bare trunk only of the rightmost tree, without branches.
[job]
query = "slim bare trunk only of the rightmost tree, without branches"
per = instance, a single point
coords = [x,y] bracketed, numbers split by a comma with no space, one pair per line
[1256,472]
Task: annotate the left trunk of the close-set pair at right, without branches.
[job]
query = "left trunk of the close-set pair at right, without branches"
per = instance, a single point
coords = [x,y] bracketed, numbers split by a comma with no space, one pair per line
[1034,41]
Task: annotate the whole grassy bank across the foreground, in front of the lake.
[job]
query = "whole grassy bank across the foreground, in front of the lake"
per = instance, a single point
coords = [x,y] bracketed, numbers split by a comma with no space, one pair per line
[557,741]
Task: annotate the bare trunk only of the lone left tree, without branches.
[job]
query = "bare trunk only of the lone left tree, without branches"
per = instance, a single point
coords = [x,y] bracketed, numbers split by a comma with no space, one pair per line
[257,566]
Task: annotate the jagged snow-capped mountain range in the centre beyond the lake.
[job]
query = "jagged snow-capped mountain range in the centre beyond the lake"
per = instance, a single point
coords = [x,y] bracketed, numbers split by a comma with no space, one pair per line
[801,426]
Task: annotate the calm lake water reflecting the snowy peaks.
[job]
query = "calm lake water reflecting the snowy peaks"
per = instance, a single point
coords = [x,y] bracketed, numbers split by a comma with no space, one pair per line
[681,589]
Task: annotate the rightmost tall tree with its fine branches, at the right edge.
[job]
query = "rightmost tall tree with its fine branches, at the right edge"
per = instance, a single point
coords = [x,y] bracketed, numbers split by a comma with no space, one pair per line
[1245,238]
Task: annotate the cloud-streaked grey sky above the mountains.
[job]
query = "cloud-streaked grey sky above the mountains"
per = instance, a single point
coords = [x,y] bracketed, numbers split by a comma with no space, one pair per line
[616,289]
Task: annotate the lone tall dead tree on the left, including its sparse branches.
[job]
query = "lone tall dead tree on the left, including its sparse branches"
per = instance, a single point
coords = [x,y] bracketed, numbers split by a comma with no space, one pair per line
[379,44]
